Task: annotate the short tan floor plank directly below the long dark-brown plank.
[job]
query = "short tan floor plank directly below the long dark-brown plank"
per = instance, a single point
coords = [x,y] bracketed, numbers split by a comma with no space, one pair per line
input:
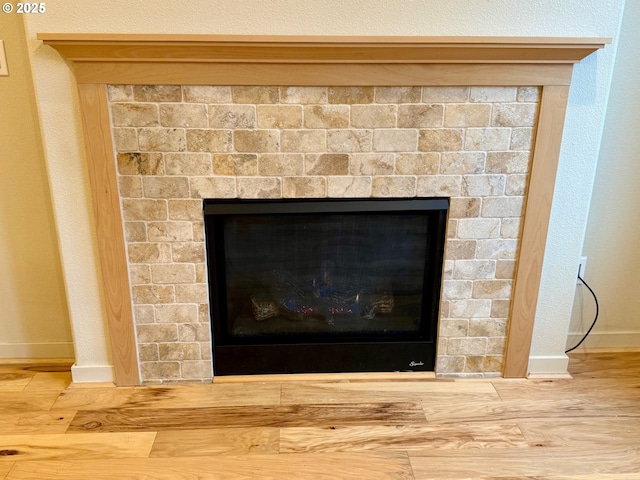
[216,441]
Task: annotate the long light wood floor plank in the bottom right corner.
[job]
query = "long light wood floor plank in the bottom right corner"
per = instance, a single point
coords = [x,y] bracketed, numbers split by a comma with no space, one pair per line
[523,463]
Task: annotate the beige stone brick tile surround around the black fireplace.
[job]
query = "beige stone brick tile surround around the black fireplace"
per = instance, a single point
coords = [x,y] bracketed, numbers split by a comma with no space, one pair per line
[178,144]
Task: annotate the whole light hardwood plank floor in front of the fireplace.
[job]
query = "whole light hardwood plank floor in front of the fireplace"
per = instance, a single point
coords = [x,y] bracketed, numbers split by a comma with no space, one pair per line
[364,427]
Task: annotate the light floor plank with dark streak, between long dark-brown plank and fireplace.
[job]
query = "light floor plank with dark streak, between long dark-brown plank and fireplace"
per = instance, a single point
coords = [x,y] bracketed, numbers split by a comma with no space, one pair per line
[174,396]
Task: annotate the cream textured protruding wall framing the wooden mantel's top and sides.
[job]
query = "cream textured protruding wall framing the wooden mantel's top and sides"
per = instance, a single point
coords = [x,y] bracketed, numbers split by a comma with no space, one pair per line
[60,120]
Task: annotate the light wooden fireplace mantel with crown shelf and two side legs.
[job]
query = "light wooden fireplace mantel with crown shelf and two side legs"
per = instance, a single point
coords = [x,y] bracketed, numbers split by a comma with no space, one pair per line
[101,59]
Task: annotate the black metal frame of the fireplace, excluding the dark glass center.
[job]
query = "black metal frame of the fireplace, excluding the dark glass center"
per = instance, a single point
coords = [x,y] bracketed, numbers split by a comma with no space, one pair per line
[314,353]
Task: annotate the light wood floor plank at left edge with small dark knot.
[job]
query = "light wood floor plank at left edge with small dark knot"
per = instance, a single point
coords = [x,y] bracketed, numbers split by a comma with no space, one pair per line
[20,448]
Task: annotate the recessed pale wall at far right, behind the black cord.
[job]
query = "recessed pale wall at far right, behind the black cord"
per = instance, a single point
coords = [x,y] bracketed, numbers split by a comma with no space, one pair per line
[613,234]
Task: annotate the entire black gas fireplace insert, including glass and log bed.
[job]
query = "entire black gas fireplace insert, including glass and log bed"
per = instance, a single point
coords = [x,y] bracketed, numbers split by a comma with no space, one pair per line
[324,285]
